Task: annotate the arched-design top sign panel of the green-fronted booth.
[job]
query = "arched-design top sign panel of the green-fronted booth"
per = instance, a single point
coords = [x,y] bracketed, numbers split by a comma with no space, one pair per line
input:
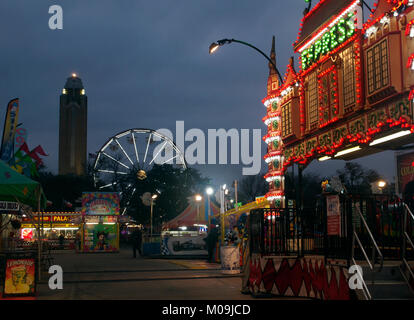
[100,203]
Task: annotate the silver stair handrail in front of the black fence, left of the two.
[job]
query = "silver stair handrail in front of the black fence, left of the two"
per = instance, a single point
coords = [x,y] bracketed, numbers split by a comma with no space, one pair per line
[355,237]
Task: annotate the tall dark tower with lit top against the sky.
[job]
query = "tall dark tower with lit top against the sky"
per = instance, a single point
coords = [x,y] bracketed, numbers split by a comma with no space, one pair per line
[73,127]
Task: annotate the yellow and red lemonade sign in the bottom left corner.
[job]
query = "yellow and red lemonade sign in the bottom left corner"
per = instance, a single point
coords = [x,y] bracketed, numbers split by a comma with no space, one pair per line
[19,279]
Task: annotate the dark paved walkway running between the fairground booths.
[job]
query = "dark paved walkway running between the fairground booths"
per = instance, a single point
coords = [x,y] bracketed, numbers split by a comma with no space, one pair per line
[119,276]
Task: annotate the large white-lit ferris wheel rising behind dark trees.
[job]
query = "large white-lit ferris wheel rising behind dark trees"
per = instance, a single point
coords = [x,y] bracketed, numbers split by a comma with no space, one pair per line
[125,159]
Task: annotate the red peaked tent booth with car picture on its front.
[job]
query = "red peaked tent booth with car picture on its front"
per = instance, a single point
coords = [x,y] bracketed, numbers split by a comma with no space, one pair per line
[184,234]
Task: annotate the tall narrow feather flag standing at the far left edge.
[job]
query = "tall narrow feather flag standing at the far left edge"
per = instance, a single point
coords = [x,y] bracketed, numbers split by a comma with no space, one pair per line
[9,131]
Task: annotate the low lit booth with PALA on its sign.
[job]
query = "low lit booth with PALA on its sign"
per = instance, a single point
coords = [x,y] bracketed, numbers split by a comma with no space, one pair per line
[52,225]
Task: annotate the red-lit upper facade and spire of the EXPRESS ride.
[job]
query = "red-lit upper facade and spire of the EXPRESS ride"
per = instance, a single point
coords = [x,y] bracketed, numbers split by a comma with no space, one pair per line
[353,95]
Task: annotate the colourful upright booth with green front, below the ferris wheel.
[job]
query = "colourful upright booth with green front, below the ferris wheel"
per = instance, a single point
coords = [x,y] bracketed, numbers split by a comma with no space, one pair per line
[100,227]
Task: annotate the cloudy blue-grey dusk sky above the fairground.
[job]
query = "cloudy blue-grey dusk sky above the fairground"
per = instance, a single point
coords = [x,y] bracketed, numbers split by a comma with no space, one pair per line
[146,64]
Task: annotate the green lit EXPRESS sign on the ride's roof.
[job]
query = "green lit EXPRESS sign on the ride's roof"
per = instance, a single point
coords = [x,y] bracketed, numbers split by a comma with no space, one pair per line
[329,41]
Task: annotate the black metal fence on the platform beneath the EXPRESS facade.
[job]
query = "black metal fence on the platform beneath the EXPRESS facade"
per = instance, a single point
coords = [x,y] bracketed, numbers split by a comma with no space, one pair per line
[287,232]
